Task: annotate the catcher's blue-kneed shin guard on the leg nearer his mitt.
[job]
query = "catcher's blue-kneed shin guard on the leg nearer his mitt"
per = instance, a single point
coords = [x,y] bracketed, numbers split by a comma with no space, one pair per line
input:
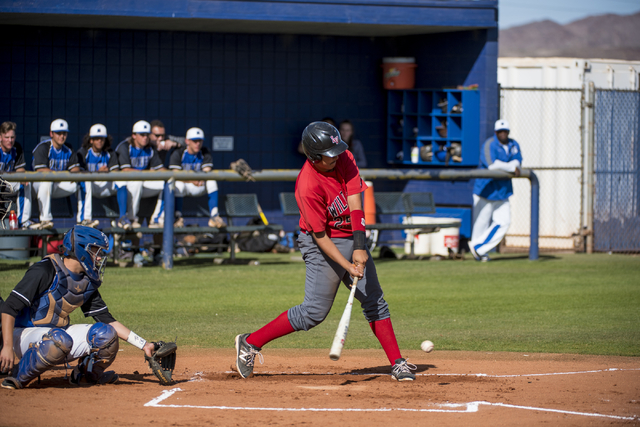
[104,343]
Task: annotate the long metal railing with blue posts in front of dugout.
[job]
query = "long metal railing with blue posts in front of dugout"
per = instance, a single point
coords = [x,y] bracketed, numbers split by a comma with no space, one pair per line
[280,175]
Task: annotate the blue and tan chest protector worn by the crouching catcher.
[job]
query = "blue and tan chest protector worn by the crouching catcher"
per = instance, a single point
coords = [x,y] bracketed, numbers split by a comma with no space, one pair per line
[52,308]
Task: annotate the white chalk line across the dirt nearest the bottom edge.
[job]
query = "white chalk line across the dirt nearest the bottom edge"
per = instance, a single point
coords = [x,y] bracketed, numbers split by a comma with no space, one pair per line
[468,408]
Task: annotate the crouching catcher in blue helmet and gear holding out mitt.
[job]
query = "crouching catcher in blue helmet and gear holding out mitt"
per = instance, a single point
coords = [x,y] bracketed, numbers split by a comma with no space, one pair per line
[35,319]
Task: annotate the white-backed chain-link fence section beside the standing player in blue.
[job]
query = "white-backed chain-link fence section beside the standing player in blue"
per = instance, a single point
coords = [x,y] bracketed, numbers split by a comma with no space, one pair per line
[547,123]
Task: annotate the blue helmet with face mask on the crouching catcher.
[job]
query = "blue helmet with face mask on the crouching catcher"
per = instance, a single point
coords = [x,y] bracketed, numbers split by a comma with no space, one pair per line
[89,246]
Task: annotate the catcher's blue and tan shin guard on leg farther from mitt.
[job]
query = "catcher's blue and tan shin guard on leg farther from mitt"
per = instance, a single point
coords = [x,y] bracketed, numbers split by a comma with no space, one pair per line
[51,350]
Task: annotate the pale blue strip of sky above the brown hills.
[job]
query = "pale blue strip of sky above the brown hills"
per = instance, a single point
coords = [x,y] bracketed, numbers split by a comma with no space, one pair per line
[518,12]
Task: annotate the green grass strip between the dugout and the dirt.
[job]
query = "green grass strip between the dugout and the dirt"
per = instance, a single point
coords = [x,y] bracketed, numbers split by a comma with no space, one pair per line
[588,304]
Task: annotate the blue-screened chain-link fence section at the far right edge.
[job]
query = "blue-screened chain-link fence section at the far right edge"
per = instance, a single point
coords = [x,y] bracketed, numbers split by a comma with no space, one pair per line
[616,207]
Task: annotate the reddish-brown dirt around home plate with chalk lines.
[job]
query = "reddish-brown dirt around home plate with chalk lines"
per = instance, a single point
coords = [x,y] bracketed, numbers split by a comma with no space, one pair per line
[296,387]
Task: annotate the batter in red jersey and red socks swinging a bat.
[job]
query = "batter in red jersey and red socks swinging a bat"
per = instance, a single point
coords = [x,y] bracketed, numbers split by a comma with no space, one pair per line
[332,242]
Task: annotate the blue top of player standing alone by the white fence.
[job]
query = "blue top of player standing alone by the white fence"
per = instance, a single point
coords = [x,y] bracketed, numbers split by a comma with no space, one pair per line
[492,150]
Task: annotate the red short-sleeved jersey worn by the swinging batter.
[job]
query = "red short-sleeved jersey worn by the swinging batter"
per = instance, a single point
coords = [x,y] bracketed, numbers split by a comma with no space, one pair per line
[322,196]
